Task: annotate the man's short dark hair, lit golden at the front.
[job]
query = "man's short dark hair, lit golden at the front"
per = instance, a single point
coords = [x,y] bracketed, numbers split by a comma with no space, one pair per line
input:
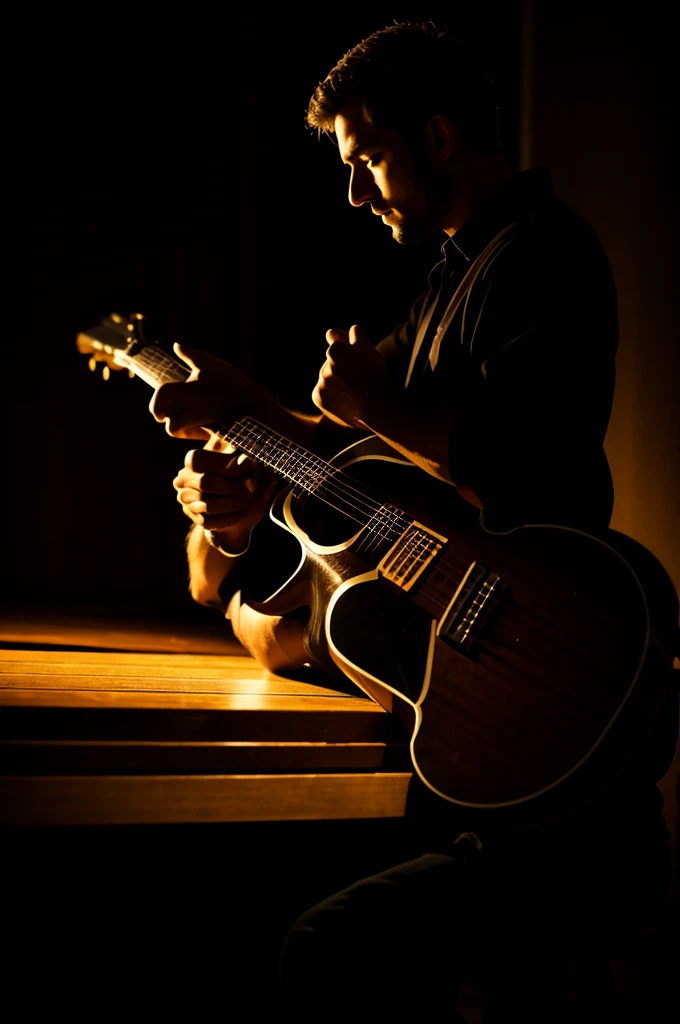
[407,74]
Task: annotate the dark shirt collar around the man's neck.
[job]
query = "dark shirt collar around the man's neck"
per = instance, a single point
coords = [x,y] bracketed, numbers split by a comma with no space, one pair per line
[519,197]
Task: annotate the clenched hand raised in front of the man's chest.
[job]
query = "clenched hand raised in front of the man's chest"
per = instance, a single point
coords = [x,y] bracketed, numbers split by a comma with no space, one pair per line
[353,381]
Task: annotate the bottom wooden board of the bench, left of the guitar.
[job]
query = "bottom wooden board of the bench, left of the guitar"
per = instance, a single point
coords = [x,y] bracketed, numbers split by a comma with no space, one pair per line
[157,800]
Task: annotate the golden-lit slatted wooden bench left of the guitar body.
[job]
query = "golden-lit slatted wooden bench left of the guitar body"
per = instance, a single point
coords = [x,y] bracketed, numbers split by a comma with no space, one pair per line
[126,737]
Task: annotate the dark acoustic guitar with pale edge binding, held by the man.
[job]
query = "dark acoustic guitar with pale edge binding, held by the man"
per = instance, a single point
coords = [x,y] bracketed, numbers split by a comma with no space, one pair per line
[528,667]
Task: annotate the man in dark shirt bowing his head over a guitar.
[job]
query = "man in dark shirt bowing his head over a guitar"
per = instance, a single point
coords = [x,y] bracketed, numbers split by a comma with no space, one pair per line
[500,383]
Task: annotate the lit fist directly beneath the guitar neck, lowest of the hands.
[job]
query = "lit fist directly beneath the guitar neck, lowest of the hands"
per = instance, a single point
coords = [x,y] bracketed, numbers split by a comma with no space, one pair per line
[225,494]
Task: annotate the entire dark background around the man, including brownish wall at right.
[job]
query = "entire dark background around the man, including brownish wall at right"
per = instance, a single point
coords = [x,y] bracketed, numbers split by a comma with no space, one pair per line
[162,166]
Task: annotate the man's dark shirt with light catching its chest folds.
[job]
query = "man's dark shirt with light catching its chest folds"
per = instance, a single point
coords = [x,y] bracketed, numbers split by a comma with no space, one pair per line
[526,353]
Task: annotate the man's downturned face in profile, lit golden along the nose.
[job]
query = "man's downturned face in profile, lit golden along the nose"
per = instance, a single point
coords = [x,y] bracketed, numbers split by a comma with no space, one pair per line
[405,190]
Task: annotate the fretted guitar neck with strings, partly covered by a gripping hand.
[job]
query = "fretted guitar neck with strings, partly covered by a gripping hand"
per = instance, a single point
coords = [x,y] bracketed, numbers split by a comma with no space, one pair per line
[304,470]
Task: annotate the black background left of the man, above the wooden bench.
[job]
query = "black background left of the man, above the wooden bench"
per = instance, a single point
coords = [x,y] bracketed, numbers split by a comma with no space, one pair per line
[163,166]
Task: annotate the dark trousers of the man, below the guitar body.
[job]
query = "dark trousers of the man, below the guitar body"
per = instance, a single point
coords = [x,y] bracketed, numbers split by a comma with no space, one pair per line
[404,942]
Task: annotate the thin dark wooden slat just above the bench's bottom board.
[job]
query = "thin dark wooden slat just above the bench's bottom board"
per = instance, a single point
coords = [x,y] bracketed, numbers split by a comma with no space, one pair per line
[133,758]
